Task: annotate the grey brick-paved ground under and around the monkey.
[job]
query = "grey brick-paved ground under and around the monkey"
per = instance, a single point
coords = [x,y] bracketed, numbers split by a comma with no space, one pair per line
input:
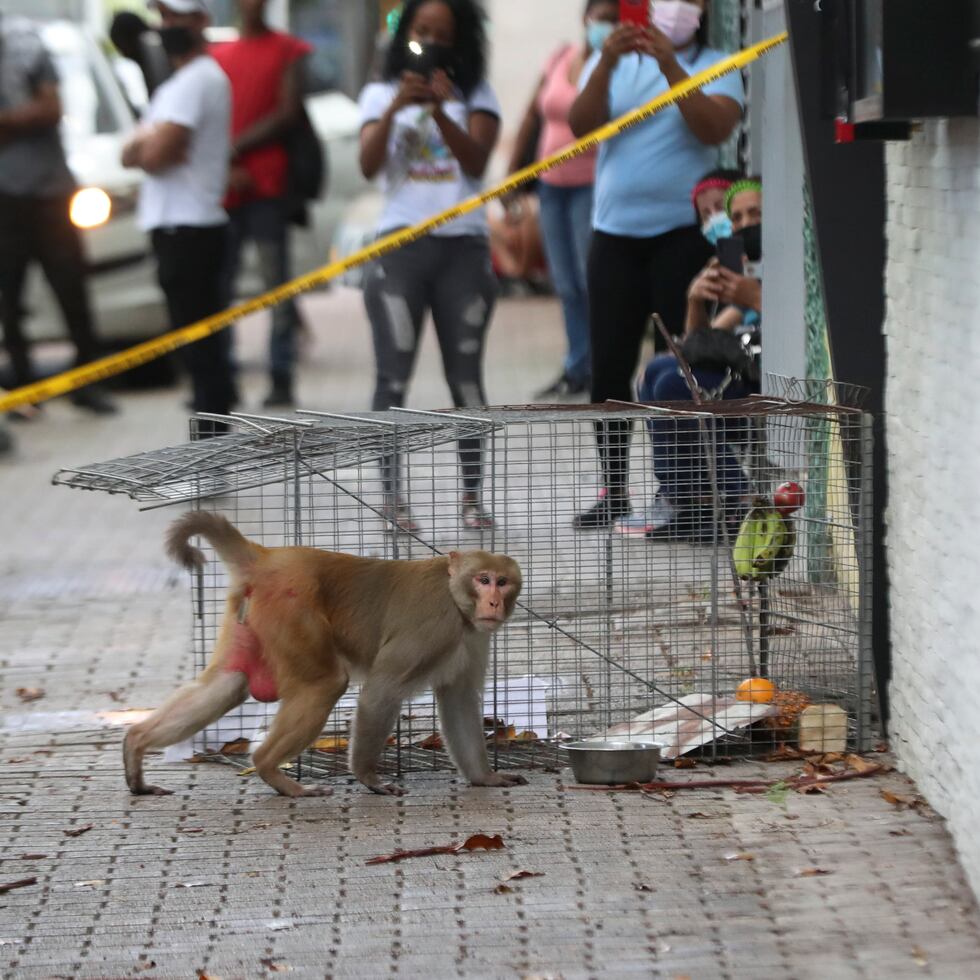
[226,880]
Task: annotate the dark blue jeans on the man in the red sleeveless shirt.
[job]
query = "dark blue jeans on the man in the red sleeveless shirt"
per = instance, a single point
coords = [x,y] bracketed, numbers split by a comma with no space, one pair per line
[264,222]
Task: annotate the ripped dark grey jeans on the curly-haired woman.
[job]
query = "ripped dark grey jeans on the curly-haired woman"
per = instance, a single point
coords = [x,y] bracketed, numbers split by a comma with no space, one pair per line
[451,276]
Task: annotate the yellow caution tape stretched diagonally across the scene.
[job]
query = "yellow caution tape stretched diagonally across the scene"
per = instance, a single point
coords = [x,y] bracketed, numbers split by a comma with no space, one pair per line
[107,367]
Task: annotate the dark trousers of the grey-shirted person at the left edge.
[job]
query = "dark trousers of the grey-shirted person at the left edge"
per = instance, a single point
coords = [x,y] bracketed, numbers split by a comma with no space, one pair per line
[39,229]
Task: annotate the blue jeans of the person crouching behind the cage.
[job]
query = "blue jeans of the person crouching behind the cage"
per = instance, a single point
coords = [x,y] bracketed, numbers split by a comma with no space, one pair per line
[679,459]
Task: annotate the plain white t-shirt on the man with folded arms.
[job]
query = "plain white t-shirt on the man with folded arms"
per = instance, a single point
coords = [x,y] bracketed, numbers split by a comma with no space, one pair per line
[197,96]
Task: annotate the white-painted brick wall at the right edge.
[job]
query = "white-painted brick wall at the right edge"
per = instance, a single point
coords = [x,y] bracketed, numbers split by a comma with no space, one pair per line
[933,425]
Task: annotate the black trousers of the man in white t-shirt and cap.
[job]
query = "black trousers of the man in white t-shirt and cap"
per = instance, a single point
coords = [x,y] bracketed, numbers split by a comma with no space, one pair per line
[189,266]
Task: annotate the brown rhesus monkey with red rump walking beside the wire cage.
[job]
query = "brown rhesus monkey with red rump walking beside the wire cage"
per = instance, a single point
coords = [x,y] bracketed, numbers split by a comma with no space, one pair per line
[301,623]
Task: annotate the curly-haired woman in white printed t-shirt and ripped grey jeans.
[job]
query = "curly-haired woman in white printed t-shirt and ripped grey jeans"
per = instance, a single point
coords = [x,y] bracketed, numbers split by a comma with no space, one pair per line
[428,128]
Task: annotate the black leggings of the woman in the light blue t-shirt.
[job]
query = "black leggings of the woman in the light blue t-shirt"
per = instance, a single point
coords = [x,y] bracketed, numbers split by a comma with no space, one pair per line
[630,278]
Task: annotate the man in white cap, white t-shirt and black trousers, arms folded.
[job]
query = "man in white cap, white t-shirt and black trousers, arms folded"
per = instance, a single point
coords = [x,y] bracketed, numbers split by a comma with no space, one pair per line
[184,146]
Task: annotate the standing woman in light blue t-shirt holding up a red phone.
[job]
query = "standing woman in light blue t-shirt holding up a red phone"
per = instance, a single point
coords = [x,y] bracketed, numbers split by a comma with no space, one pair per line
[645,247]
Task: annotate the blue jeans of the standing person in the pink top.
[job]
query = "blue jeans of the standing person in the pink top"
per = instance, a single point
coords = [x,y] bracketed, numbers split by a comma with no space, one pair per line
[566,230]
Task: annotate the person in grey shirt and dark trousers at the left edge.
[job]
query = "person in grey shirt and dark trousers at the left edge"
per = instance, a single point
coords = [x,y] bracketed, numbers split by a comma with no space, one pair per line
[36,188]
